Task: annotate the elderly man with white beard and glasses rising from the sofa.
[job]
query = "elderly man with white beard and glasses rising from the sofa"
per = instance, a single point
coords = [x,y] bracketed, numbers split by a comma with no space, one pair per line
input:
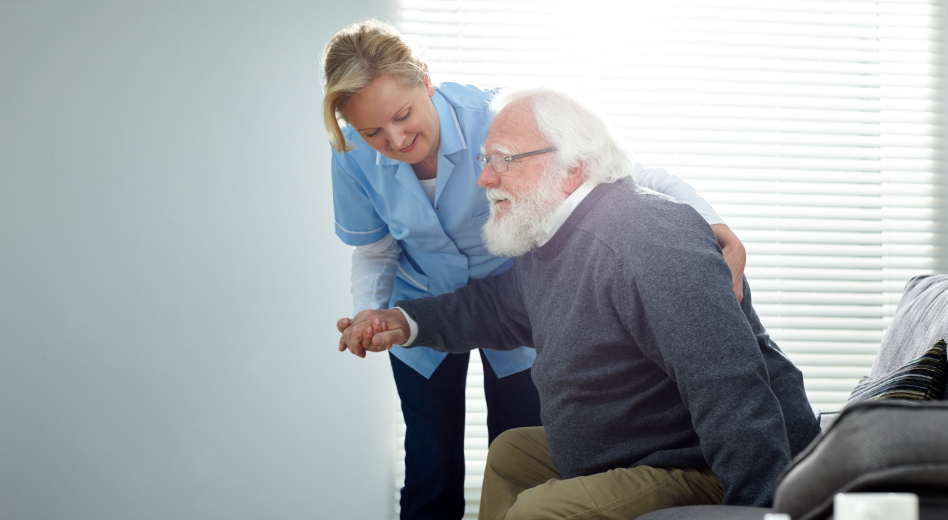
[657,387]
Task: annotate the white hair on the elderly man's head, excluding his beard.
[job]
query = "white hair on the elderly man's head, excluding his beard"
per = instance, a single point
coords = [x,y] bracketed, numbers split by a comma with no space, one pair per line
[578,133]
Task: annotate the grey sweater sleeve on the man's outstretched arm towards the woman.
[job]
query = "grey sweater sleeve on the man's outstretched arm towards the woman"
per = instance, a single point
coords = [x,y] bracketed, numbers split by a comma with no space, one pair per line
[487,313]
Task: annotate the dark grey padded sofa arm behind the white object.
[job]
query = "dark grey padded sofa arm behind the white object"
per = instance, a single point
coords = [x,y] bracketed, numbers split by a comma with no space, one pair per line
[873,446]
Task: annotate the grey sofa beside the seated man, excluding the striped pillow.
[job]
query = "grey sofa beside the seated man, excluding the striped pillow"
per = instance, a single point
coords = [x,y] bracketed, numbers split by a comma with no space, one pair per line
[887,445]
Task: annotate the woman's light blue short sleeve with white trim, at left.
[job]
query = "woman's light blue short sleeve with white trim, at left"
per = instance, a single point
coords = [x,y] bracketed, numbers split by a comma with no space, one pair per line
[357,222]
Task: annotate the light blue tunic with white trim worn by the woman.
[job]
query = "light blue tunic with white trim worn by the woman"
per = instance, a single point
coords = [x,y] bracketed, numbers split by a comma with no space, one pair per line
[441,243]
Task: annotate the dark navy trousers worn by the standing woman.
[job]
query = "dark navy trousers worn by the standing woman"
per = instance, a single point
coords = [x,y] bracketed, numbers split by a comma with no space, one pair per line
[434,436]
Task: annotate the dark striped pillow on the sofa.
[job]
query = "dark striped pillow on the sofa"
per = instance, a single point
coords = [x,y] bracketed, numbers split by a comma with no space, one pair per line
[920,379]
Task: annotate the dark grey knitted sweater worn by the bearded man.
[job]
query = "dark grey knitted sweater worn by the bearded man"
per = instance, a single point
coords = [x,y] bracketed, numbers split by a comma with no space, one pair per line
[644,355]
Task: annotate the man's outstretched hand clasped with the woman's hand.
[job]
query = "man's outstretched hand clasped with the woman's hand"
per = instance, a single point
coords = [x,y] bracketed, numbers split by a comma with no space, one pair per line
[373,331]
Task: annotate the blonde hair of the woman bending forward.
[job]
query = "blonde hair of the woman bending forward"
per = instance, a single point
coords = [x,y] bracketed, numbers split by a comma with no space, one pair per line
[354,57]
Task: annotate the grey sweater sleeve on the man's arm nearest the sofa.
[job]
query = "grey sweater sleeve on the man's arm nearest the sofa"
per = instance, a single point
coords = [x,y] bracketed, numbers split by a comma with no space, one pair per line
[683,314]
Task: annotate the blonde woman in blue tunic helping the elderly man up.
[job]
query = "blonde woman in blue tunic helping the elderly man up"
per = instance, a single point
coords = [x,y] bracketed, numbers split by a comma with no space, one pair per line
[406,196]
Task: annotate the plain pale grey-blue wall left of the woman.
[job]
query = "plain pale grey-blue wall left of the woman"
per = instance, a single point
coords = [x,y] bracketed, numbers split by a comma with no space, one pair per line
[169,276]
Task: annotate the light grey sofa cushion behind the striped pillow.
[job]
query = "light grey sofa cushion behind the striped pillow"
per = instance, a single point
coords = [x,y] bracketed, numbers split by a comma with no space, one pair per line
[920,320]
